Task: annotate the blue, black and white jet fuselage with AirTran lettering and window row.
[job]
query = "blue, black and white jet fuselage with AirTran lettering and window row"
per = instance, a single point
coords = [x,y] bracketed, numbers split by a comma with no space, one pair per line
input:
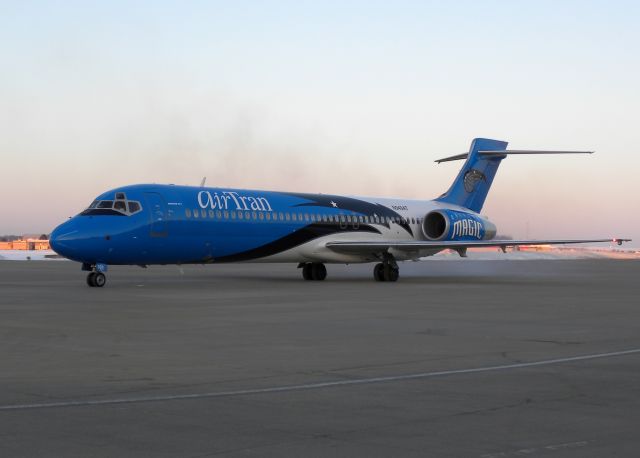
[166,224]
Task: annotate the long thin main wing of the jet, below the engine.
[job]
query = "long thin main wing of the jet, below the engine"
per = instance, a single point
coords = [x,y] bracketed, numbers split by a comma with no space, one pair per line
[382,246]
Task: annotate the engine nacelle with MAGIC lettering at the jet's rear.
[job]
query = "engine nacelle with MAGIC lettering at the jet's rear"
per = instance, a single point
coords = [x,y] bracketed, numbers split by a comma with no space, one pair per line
[444,224]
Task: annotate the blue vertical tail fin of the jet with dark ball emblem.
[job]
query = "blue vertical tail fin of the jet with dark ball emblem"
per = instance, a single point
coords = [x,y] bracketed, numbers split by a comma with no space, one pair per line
[472,184]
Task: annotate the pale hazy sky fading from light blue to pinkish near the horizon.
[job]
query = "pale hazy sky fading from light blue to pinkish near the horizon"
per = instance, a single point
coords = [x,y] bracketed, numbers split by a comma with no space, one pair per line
[348,97]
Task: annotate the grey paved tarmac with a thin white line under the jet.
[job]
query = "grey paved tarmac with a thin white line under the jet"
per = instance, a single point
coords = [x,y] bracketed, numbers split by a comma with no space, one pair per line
[488,359]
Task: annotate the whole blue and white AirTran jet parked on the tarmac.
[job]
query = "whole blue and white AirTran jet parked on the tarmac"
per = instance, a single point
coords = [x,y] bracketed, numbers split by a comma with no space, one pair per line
[149,224]
